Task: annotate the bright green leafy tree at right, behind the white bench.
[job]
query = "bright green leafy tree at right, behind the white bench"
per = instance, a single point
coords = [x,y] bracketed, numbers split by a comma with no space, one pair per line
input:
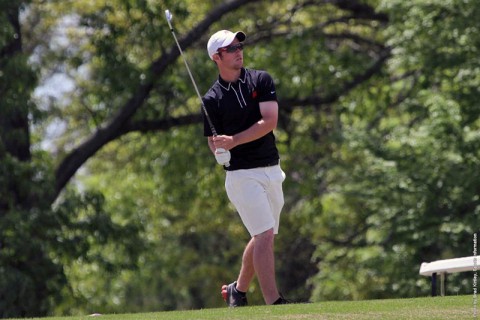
[406,188]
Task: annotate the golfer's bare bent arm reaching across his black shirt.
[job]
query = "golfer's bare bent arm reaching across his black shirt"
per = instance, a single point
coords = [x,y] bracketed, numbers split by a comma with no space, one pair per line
[268,122]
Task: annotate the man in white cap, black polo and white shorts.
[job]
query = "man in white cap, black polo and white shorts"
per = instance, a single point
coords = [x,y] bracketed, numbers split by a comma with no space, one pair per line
[243,108]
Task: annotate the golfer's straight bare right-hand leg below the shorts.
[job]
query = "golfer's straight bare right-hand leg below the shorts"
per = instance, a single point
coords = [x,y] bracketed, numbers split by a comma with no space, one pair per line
[264,265]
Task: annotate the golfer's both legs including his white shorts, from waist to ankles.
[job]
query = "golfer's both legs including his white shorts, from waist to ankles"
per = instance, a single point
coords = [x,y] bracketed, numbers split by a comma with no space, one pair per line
[257,209]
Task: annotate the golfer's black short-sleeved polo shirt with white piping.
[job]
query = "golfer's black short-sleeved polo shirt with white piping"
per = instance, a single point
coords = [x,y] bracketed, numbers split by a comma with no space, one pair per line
[235,107]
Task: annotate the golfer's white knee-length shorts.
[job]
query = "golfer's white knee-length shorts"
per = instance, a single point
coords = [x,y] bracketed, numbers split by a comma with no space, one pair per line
[258,197]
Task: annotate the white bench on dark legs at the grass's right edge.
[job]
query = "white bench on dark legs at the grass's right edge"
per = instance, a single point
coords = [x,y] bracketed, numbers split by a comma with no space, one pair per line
[443,267]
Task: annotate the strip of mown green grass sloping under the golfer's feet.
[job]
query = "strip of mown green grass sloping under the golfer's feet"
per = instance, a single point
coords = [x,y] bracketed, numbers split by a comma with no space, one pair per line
[450,307]
